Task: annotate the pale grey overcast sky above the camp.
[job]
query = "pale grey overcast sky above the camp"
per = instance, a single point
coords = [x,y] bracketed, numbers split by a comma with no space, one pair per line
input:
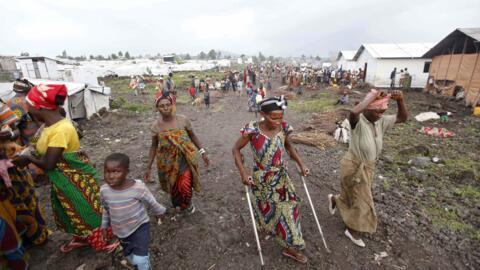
[279,28]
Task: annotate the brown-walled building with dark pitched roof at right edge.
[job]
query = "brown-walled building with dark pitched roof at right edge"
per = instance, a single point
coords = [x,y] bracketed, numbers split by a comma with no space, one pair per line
[455,64]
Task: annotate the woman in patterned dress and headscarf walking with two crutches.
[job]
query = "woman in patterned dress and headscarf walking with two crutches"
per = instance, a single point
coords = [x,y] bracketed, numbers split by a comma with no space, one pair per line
[274,199]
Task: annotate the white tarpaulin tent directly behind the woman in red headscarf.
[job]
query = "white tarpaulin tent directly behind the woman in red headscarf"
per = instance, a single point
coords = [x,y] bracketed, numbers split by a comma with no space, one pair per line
[84,100]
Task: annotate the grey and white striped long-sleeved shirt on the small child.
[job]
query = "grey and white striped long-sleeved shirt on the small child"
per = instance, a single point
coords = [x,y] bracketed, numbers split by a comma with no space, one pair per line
[125,209]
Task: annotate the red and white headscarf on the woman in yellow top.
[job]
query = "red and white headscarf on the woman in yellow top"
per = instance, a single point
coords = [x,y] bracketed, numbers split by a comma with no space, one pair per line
[44,96]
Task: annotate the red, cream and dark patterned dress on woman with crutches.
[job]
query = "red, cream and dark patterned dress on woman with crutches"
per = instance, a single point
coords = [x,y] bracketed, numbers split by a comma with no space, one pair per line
[275,202]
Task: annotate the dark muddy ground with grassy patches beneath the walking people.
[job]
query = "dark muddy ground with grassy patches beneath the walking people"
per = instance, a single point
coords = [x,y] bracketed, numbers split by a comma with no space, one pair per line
[219,234]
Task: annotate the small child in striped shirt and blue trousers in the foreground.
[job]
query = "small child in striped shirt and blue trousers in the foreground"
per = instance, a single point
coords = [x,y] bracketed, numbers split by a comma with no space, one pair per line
[123,200]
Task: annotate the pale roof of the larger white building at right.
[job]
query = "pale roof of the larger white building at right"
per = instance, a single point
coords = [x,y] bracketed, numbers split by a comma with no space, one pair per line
[395,50]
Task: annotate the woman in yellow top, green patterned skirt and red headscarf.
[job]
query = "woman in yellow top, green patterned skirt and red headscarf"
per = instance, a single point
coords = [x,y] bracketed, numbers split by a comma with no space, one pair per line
[75,192]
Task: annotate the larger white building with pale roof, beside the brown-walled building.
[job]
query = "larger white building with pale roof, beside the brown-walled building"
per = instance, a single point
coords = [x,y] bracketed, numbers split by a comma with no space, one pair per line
[379,60]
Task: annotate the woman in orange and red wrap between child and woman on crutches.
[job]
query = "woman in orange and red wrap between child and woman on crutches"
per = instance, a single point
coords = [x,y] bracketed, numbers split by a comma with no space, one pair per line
[176,147]
